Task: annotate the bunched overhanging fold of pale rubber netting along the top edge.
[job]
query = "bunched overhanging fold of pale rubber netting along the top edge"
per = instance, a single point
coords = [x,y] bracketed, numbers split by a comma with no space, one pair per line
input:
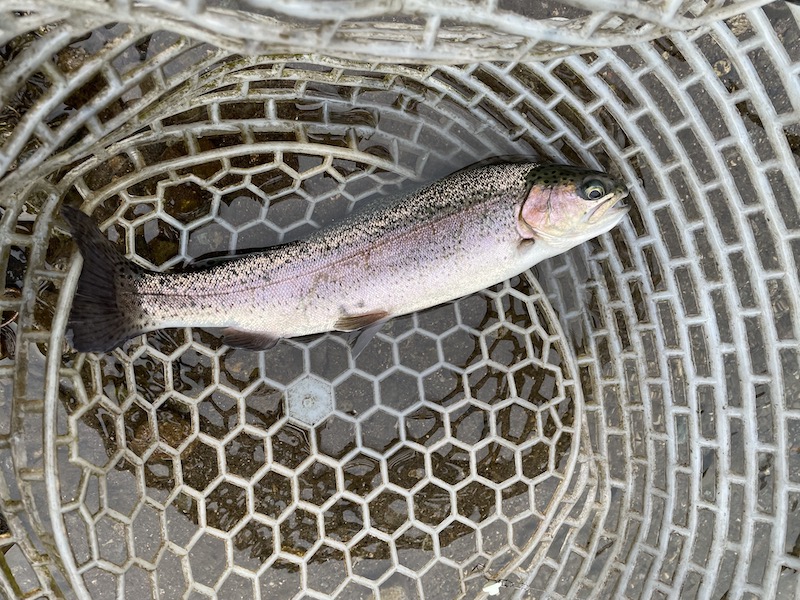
[399,30]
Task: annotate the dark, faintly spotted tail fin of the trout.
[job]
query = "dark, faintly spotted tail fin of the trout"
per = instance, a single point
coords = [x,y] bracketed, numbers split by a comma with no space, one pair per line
[105,308]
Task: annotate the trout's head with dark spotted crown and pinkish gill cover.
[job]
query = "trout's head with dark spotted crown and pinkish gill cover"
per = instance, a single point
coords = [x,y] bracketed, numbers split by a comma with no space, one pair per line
[565,206]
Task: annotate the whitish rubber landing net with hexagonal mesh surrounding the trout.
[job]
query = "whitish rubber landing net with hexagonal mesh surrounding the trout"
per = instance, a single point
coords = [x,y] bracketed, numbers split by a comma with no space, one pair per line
[623,421]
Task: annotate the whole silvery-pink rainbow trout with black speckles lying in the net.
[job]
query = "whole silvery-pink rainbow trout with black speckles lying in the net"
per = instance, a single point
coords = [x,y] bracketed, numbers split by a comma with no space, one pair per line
[397,255]
